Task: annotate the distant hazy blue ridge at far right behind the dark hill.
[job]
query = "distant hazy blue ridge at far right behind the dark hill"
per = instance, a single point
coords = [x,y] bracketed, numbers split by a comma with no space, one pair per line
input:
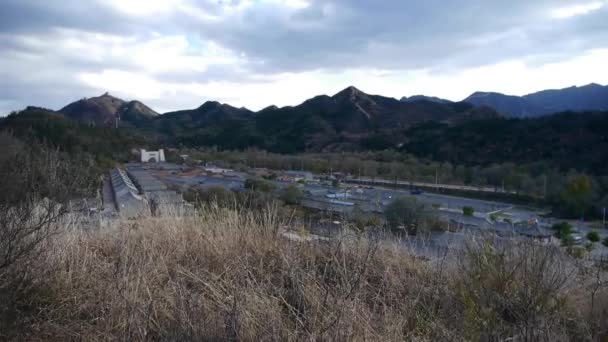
[589,97]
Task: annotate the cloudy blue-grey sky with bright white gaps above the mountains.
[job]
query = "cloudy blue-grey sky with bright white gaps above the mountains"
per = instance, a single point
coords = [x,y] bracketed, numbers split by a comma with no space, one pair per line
[177,54]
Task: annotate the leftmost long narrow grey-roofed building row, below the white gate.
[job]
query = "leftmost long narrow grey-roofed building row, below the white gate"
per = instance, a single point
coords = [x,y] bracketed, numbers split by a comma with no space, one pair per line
[129,202]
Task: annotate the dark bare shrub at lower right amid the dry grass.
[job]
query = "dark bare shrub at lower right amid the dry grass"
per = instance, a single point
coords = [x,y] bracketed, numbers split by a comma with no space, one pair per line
[517,291]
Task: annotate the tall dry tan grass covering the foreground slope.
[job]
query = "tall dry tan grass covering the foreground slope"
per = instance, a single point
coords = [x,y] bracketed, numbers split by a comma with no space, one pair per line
[227,275]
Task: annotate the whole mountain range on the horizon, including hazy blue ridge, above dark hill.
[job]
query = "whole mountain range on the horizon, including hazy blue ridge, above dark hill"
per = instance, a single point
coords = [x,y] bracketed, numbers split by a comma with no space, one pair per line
[348,120]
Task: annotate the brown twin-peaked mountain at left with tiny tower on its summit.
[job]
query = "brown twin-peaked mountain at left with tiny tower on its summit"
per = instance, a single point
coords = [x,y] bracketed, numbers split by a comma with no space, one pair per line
[105,110]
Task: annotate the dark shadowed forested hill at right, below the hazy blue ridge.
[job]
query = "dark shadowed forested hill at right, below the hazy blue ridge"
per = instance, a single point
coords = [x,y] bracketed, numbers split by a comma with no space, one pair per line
[567,140]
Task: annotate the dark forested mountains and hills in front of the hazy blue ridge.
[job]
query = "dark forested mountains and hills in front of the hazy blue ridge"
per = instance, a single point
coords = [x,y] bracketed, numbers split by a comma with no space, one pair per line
[350,120]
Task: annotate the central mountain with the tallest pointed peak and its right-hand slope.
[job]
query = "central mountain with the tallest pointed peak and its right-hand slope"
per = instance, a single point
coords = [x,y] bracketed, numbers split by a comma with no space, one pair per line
[346,120]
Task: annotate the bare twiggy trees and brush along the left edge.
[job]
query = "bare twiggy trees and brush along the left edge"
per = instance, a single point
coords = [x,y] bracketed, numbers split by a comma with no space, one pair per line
[36,185]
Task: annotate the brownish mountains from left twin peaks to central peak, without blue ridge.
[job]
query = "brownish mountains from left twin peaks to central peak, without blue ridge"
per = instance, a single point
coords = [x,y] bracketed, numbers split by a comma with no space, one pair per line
[348,118]
